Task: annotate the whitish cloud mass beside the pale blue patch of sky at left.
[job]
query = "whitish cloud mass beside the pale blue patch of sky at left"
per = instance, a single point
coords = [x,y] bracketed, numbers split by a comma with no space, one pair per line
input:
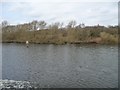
[89,12]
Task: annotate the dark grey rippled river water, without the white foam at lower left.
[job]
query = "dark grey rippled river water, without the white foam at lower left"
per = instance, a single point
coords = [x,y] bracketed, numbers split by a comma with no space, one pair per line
[70,66]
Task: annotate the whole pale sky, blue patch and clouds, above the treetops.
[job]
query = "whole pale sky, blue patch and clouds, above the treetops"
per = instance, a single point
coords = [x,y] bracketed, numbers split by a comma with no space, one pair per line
[103,12]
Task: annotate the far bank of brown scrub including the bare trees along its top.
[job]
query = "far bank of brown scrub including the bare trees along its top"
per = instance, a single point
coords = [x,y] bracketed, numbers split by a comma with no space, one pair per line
[56,34]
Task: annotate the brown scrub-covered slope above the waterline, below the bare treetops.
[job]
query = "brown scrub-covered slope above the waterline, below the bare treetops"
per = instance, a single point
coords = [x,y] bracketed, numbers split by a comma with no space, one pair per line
[82,35]
